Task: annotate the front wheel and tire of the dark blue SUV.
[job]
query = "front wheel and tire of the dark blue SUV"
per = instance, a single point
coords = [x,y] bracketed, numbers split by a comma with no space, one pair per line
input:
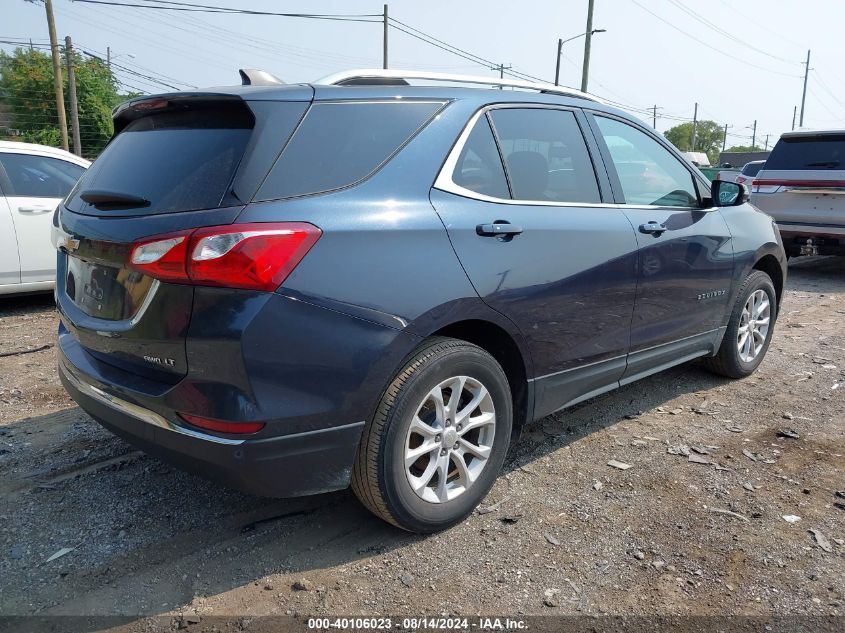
[745,342]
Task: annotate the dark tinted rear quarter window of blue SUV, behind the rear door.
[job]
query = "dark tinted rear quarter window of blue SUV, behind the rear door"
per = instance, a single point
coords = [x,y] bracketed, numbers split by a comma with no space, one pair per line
[338,144]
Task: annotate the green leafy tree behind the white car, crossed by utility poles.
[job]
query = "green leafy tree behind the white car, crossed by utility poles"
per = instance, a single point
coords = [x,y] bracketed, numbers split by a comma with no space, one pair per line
[28,99]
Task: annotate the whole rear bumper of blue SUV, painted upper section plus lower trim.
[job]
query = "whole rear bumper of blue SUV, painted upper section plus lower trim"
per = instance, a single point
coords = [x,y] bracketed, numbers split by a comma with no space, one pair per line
[311,375]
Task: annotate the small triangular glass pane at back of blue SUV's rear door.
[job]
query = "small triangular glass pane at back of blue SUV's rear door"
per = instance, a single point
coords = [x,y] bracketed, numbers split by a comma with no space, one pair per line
[479,167]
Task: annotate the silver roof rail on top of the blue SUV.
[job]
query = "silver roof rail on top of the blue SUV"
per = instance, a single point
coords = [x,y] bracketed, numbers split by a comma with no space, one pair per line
[382,77]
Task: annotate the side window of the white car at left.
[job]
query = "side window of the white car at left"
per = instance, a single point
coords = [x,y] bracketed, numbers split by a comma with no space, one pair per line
[38,176]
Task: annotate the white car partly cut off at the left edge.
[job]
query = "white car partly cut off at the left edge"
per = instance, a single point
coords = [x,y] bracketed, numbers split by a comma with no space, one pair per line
[33,180]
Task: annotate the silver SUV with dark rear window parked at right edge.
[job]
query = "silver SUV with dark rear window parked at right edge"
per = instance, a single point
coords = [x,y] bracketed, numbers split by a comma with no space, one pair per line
[802,186]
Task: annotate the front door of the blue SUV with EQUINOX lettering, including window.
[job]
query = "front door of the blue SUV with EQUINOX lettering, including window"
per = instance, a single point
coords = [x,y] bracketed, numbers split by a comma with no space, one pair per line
[685,250]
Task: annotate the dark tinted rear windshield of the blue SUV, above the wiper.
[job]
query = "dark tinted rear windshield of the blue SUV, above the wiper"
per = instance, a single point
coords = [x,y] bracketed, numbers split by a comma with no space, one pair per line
[177,161]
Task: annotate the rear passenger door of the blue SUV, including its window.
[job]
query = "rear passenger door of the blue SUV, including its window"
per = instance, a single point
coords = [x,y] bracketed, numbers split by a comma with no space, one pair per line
[526,211]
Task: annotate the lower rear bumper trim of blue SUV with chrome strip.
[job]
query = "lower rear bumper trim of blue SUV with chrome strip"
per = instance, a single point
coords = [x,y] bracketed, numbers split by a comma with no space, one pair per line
[286,466]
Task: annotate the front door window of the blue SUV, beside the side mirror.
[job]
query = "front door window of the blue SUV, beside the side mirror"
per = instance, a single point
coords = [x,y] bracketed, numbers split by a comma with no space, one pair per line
[648,172]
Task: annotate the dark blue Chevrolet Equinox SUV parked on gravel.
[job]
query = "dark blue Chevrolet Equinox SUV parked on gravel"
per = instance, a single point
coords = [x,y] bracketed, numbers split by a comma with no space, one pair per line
[297,288]
